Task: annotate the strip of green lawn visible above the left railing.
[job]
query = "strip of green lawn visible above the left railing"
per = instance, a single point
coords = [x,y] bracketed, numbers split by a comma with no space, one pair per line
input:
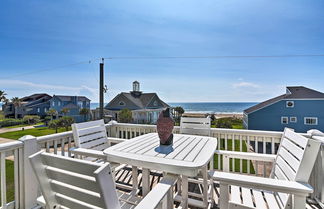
[34,132]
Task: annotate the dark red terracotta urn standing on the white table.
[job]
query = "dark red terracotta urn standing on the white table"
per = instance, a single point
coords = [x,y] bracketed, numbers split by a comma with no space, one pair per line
[165,124]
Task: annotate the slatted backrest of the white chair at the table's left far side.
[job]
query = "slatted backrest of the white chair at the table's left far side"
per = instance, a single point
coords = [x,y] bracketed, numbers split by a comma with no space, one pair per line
[89,135]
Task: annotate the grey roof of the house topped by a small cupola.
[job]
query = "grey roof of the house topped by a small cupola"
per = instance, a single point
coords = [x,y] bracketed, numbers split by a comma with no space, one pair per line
[141,101]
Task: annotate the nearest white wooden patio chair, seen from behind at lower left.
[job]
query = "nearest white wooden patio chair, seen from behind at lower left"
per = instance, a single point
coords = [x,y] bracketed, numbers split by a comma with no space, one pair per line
[79,184]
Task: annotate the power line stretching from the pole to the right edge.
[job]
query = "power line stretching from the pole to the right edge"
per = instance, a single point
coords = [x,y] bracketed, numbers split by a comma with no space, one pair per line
[220,57]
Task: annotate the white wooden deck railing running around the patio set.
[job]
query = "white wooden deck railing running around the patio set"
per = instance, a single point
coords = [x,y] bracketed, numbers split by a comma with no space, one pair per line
[26,188]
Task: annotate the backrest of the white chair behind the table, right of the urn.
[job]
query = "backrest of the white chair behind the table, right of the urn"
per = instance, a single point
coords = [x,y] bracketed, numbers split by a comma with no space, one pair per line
[195,126]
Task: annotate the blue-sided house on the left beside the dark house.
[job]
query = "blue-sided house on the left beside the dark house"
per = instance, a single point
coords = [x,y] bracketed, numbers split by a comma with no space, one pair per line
[73,103]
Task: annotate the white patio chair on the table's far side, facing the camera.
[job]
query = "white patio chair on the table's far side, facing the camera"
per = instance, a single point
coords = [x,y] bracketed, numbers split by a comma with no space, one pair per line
[200,127]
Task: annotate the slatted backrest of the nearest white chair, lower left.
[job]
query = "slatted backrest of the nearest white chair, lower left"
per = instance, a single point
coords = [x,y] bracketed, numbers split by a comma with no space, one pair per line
[74,183]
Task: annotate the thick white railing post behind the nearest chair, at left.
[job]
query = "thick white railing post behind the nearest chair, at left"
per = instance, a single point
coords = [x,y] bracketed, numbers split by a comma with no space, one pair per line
[29,181]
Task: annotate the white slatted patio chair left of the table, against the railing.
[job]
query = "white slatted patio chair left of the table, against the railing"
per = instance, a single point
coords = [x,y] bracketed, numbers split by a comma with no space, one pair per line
[91,139]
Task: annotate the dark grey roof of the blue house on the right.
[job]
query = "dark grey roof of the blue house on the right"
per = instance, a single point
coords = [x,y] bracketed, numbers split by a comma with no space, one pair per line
[293,92]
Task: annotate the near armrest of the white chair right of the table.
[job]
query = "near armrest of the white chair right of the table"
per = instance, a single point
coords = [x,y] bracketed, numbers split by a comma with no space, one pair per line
[275,185]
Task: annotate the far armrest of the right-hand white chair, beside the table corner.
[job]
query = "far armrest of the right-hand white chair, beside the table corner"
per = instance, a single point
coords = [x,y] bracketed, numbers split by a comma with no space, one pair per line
[247,155]
